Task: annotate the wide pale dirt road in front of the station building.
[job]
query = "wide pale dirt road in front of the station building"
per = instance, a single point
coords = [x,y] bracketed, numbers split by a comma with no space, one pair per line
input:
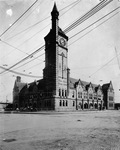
[84,130]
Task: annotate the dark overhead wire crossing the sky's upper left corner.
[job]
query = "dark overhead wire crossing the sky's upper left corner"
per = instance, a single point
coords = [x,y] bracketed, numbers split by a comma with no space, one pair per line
[18,18]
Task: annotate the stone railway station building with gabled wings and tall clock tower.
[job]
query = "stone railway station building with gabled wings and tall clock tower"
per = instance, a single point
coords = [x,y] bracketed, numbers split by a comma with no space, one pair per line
[57,90]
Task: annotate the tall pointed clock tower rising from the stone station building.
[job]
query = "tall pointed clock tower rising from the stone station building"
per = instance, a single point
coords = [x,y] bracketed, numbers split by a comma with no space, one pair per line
[56,58]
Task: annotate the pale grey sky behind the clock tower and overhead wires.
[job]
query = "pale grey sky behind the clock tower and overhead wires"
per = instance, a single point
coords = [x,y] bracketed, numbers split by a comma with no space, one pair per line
[93,55]
